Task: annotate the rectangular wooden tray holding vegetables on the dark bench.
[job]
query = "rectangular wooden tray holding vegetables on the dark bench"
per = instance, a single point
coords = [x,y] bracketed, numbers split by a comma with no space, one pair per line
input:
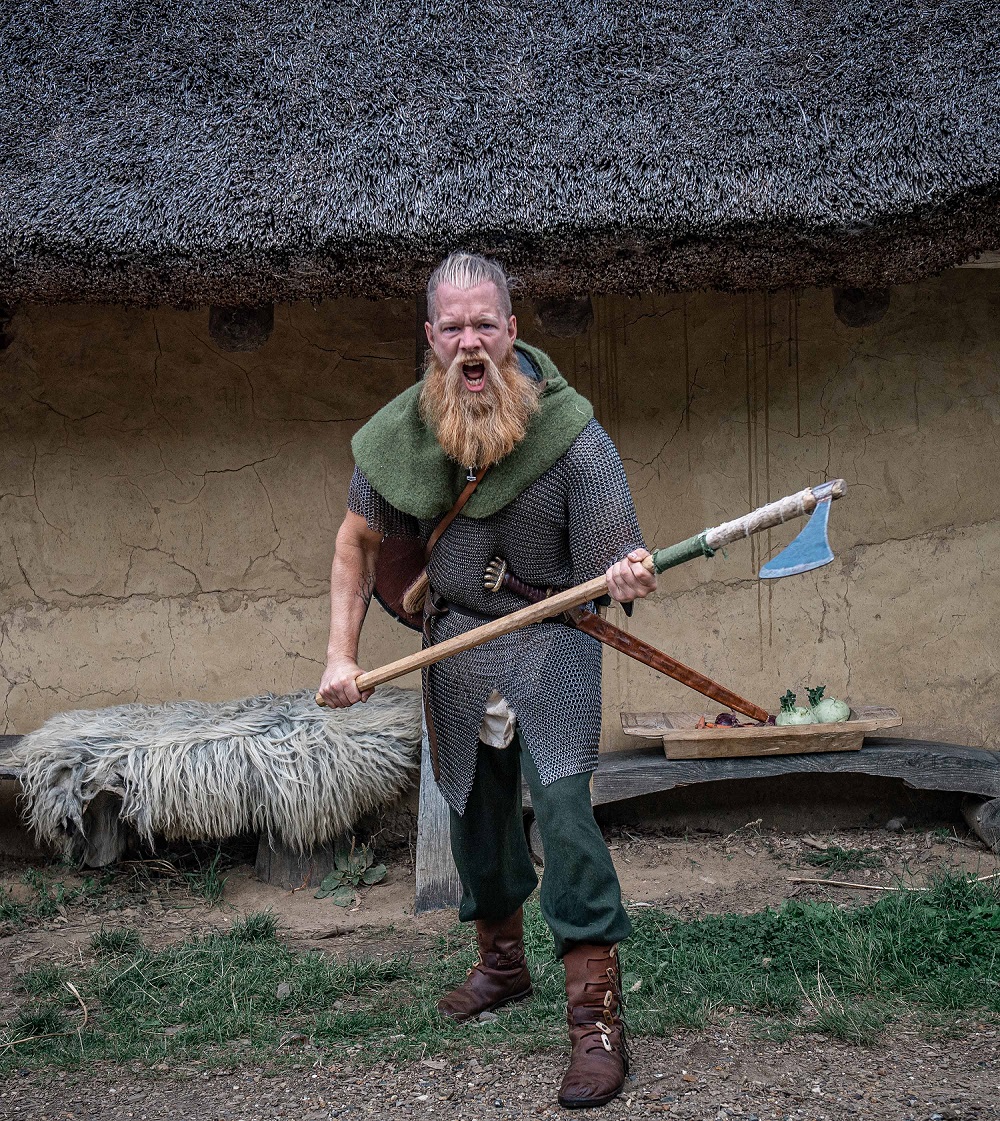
[683,740]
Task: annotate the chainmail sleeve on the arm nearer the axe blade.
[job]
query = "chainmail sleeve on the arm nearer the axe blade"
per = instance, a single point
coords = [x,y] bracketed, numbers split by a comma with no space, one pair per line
[603,523]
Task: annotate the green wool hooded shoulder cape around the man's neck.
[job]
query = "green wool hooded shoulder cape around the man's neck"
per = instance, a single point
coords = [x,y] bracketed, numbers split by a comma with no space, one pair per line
[404,462]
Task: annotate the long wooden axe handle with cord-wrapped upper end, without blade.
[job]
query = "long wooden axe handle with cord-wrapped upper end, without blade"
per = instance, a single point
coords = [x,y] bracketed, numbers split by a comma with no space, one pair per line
[703,544]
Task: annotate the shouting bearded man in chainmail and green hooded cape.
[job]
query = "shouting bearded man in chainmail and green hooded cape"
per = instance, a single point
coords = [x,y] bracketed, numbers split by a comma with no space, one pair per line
[555,505]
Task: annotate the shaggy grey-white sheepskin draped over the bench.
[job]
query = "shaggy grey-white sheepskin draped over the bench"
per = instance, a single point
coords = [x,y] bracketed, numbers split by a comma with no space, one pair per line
[277,765]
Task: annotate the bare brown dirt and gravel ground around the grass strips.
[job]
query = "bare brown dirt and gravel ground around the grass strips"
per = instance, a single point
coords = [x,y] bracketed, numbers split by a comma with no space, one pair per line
[719,1073]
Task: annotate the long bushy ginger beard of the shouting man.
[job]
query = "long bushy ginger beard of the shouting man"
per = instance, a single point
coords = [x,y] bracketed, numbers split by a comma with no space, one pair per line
[479,429]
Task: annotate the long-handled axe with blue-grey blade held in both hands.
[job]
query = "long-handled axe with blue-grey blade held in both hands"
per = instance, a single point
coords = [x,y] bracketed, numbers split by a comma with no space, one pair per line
[811,550]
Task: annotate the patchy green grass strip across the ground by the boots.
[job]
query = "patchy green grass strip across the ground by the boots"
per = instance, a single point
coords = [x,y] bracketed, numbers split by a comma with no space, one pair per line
[247,997]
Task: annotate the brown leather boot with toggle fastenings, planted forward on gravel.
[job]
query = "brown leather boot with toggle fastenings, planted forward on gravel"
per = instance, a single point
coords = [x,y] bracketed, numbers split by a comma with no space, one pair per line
[600,1060]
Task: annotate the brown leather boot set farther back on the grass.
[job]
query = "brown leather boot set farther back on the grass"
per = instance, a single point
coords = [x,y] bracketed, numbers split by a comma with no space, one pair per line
[499,978]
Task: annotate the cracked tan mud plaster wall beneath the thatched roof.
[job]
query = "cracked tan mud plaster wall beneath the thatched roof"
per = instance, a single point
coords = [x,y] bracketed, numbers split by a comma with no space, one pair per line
[170,508]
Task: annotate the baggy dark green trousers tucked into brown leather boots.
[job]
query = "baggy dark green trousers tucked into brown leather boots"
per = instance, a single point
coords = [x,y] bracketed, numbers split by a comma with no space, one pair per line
[581,898]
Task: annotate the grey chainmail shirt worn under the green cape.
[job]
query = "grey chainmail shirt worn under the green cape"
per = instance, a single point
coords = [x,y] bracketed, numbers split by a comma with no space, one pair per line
[570,526]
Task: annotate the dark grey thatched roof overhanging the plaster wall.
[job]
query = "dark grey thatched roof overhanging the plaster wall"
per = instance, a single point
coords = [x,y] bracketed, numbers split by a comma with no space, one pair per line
[249,151]
